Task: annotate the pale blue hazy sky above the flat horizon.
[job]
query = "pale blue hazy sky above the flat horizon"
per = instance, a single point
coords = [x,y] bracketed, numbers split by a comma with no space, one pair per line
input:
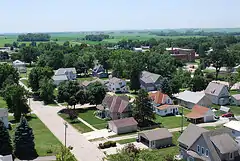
[97,15]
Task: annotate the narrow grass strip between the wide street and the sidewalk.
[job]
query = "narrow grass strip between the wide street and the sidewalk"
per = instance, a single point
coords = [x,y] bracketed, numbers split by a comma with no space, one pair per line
[78,125]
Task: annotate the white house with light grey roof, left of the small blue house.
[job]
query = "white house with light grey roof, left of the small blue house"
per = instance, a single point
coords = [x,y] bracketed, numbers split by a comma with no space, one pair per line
[64,74]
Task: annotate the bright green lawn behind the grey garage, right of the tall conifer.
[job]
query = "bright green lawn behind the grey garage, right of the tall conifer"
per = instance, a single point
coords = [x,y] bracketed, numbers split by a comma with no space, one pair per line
[171,121]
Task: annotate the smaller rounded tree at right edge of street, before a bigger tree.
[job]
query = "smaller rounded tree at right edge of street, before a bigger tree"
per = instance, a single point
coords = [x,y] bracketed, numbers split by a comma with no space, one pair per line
[46,91]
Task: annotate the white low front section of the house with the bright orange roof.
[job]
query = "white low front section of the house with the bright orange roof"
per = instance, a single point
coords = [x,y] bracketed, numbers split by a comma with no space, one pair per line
[165,110]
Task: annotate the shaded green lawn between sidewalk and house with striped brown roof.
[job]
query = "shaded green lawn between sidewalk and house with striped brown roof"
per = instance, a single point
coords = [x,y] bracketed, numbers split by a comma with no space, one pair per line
[88,115]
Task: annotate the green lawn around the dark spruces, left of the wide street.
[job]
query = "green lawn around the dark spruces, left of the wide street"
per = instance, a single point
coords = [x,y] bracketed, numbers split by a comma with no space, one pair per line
[44,139]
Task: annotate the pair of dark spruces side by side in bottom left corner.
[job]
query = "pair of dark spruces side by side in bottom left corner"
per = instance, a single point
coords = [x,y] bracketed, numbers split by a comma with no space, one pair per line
[23,147]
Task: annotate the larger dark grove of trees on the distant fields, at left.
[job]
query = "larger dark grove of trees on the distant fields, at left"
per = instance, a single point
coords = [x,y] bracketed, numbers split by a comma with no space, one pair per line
[34,37]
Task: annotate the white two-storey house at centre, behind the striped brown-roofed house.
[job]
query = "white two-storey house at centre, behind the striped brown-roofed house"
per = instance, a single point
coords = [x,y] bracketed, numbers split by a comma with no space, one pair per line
[117,85]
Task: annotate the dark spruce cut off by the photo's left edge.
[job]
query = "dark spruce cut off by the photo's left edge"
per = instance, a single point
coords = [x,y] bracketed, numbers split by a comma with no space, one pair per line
[5,140]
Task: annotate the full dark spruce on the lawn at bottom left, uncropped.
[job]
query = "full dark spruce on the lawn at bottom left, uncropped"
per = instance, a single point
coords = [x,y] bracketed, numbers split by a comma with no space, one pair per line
[24,146]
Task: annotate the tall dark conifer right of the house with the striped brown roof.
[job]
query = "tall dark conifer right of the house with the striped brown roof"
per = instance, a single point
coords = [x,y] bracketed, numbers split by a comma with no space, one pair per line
[142,111]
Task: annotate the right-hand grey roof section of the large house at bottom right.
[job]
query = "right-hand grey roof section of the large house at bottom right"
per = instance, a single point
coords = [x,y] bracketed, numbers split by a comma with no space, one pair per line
[224,143]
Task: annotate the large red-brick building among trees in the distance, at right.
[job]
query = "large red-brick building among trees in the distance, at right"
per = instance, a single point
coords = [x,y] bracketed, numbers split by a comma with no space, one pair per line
[182,54]
